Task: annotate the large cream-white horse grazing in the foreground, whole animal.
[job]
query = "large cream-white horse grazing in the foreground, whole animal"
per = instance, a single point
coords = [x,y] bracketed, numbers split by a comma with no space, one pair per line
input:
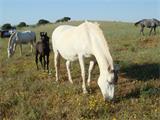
[86,40]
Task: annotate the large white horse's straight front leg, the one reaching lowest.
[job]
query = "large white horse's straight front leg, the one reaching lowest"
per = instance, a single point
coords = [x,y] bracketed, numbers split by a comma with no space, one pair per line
[82,66]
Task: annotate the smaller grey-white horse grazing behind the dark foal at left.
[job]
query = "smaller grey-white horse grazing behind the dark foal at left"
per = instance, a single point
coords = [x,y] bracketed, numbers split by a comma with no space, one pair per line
[20,38]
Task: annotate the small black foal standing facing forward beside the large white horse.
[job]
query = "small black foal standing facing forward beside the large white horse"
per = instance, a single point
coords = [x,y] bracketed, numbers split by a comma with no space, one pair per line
[43,50]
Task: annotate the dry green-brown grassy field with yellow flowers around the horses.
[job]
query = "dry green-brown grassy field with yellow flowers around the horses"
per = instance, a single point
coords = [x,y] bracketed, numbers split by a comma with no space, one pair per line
[28,94]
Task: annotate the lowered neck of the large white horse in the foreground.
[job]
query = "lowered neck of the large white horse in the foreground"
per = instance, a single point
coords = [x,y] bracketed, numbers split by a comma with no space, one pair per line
[100,49]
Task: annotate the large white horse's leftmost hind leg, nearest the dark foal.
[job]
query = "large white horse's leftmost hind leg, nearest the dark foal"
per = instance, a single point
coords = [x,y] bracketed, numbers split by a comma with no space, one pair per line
[57,63]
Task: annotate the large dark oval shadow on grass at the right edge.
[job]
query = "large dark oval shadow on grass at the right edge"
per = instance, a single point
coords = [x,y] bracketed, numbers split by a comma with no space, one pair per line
[142,72]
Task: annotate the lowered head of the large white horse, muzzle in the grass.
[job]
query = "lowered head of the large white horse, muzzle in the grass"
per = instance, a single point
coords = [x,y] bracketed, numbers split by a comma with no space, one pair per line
[107,83]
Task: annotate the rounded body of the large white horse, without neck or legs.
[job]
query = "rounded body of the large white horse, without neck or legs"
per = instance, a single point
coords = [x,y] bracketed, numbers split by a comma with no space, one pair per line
[65,40]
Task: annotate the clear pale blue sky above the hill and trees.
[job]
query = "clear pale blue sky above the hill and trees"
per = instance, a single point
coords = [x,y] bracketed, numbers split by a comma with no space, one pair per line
[30,11]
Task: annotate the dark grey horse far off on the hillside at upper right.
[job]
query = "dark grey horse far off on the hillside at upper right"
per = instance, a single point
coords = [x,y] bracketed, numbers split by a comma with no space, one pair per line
[149,23]
